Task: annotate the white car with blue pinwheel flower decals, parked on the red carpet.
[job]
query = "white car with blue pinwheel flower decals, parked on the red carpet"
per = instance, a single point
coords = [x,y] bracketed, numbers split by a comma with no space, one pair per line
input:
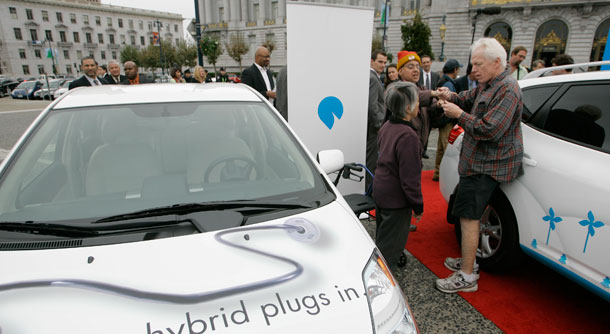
[557,212]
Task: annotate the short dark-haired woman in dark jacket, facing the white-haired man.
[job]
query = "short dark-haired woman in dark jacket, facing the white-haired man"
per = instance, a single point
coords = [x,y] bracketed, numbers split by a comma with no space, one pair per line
[397,183]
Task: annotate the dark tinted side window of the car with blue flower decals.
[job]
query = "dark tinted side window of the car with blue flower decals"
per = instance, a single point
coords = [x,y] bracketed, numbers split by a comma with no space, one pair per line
[582,114]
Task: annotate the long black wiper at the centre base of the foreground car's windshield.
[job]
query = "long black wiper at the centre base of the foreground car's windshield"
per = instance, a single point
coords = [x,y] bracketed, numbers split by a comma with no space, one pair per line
[186,208]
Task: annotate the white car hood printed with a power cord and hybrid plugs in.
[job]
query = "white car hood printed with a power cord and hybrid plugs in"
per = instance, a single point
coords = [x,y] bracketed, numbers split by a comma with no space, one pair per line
[327,297]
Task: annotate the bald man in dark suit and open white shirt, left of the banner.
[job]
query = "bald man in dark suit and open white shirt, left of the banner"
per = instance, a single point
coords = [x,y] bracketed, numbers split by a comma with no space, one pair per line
[258,76]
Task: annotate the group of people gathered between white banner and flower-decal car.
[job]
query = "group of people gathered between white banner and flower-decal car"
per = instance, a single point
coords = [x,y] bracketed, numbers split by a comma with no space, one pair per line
[406,101]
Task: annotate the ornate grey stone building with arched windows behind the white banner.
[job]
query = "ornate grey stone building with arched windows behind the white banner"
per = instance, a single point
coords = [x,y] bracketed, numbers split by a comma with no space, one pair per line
[545,27]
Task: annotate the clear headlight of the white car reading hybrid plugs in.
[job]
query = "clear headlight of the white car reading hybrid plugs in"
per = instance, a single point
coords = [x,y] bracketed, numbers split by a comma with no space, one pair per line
[389,311]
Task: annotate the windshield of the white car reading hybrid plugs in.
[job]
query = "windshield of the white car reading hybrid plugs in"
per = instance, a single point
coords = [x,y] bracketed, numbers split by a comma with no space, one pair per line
[95,162]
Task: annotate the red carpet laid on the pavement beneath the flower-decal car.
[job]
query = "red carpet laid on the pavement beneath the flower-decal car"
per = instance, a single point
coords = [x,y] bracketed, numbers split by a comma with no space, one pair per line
[528,299]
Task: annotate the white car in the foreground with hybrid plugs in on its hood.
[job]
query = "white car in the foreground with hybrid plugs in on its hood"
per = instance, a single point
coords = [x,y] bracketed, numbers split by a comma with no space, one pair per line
[165,209]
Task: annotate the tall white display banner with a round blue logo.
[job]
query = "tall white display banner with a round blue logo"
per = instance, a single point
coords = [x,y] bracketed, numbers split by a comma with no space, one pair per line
[329,52]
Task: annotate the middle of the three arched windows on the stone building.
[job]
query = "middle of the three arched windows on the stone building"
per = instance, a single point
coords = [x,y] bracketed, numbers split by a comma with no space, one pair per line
[551,40]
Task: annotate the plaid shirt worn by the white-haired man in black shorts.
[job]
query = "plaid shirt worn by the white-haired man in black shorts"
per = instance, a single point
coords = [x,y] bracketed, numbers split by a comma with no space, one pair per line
[493,144]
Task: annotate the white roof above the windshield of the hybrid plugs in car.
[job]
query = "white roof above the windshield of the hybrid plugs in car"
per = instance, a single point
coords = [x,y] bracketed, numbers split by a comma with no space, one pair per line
[156,93]
